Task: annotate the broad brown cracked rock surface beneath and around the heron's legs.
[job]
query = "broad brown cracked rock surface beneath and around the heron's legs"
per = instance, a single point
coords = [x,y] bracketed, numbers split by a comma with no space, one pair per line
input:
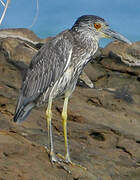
[103,127]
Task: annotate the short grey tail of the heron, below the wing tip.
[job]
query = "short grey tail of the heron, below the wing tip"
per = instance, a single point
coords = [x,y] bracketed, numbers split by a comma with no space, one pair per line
[22,112]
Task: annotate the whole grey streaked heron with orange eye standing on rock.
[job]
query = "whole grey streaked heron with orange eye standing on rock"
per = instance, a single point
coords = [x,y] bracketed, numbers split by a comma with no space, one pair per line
[55,69]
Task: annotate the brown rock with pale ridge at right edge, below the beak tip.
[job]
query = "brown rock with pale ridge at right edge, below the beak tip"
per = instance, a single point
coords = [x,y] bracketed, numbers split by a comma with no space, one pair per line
[114,58]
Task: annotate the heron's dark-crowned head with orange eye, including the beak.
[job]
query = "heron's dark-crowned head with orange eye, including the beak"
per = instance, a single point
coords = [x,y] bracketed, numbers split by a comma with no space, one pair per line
[97,27]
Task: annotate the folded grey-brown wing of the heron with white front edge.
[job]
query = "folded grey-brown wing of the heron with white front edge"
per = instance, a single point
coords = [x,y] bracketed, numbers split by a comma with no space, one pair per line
[46,67]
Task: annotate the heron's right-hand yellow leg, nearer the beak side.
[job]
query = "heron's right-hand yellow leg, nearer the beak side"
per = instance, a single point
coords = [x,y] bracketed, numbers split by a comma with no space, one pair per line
[64,118]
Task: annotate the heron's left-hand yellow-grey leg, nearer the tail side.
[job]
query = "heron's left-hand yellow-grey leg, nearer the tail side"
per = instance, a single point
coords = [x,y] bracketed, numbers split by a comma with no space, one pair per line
[49,126]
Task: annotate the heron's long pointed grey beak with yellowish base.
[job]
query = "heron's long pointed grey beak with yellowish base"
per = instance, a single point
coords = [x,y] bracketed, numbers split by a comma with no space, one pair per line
[109,33]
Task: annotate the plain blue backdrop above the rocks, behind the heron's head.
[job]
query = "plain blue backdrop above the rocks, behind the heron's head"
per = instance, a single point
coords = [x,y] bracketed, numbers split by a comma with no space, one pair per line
[55,16]
